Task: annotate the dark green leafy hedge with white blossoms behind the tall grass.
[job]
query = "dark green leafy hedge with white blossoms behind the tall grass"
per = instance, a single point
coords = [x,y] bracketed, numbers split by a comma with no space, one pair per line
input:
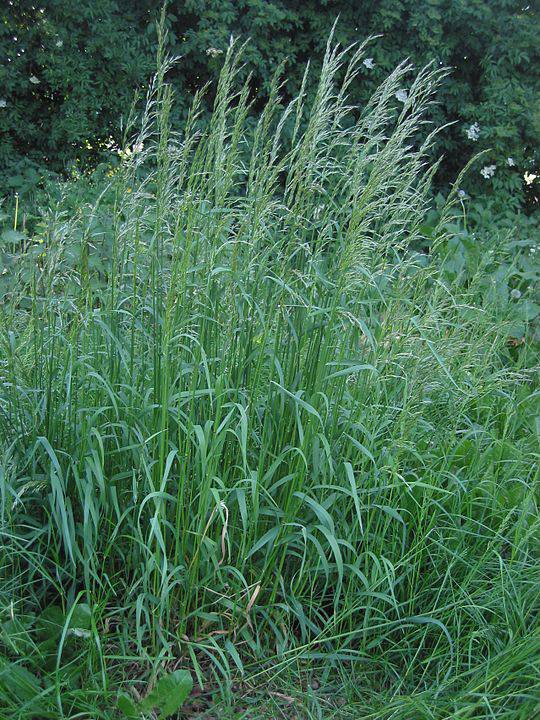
[69,70]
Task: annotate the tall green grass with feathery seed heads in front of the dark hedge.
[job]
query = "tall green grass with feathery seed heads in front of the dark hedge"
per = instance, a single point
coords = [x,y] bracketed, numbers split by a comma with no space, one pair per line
[266,441]
